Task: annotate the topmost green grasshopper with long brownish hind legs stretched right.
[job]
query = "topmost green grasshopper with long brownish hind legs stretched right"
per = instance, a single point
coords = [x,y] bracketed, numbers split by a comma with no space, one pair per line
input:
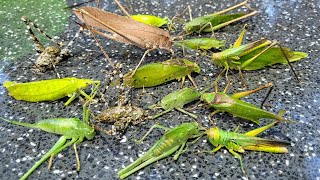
[215,21]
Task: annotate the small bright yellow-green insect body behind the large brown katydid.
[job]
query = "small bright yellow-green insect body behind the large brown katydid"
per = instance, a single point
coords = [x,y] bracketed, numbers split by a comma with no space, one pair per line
[150,19]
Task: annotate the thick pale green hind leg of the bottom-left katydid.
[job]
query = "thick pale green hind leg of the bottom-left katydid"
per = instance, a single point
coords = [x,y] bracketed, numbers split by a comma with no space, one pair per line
[58,144]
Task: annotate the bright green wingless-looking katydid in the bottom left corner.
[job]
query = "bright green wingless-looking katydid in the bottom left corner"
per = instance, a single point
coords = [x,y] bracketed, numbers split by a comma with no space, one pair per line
[69,128]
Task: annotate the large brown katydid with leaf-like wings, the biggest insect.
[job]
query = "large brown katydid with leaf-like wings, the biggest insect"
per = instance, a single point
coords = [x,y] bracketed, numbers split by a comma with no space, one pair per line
[125,30]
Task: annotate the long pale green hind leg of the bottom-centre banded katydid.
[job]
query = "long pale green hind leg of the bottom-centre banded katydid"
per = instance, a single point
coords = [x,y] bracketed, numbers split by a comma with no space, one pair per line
[150,161]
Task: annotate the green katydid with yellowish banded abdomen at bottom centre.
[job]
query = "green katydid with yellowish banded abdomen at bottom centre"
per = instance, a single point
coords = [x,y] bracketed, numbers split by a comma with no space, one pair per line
[175,139]
